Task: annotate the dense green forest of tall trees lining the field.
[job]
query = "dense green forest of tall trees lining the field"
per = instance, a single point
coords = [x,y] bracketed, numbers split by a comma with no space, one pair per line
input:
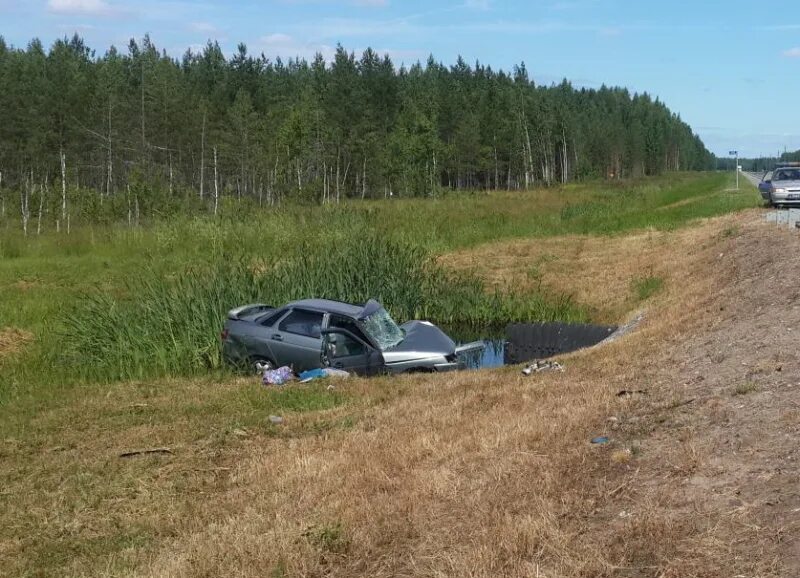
[137,133]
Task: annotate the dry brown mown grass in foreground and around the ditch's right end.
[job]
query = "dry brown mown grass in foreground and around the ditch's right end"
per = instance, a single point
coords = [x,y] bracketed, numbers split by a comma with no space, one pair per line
[473,474]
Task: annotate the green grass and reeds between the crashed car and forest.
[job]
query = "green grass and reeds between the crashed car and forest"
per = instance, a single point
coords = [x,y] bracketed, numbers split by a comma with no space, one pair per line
[115,303]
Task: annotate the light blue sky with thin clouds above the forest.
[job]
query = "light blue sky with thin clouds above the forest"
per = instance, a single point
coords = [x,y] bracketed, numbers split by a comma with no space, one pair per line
[730,68]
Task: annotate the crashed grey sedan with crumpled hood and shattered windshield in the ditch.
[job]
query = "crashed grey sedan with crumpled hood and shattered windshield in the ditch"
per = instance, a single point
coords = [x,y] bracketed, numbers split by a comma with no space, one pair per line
[313,333]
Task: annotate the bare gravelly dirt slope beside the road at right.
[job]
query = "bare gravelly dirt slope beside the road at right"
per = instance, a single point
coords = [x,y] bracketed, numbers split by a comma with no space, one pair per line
[718,433]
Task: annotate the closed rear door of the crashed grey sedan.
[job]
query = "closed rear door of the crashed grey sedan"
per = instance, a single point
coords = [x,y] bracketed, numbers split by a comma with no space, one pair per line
[298,338]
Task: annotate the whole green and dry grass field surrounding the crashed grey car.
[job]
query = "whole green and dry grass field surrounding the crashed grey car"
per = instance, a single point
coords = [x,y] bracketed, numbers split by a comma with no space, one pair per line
[241,495]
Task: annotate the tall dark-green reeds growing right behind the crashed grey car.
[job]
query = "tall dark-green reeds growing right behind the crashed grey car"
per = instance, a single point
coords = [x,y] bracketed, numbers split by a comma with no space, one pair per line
[169,325]
